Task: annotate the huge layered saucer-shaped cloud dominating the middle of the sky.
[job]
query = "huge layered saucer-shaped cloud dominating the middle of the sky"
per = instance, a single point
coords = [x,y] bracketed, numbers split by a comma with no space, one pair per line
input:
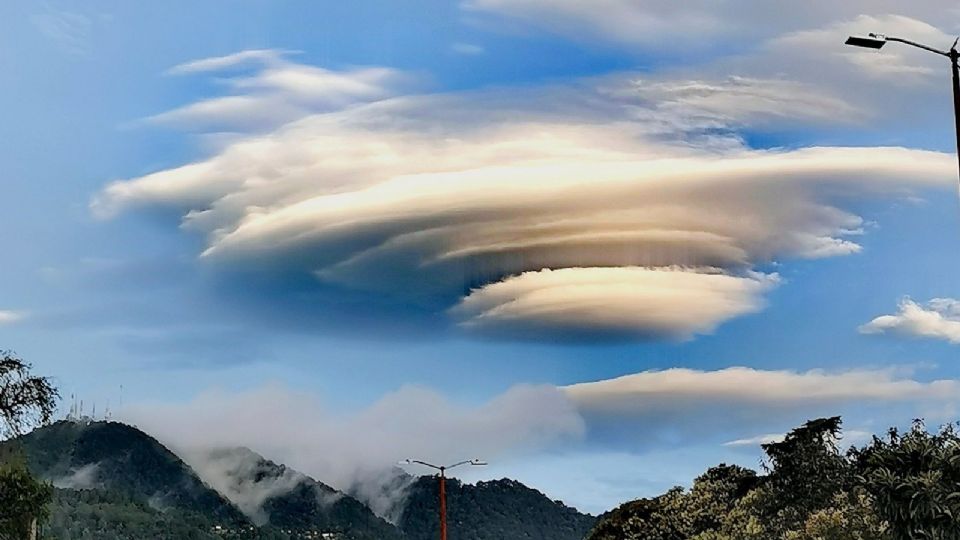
[582,210]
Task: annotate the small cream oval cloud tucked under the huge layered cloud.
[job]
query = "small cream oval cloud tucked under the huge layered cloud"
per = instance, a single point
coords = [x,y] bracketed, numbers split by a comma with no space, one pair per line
[622,301]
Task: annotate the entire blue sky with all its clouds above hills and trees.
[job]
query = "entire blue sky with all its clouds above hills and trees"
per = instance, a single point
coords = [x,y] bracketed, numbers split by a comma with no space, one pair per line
[602,245]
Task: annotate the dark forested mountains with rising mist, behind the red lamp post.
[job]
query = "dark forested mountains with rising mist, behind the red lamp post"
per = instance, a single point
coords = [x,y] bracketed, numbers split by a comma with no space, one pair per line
[114,481]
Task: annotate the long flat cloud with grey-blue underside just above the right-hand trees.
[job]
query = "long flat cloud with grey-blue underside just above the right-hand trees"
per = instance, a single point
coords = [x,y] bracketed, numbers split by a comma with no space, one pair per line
[677,407]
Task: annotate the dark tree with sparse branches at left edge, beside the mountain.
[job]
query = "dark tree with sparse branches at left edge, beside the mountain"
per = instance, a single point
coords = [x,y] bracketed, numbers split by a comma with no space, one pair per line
[25,401]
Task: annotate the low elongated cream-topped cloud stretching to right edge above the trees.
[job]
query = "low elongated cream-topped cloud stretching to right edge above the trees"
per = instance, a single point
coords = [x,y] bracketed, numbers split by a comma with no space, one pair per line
[688,399]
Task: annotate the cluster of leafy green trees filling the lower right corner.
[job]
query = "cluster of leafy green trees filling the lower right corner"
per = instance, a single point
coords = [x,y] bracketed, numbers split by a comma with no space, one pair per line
[904,486]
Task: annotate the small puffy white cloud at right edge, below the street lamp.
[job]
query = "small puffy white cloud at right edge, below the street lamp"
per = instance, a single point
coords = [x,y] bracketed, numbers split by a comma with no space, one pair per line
[937,319]
